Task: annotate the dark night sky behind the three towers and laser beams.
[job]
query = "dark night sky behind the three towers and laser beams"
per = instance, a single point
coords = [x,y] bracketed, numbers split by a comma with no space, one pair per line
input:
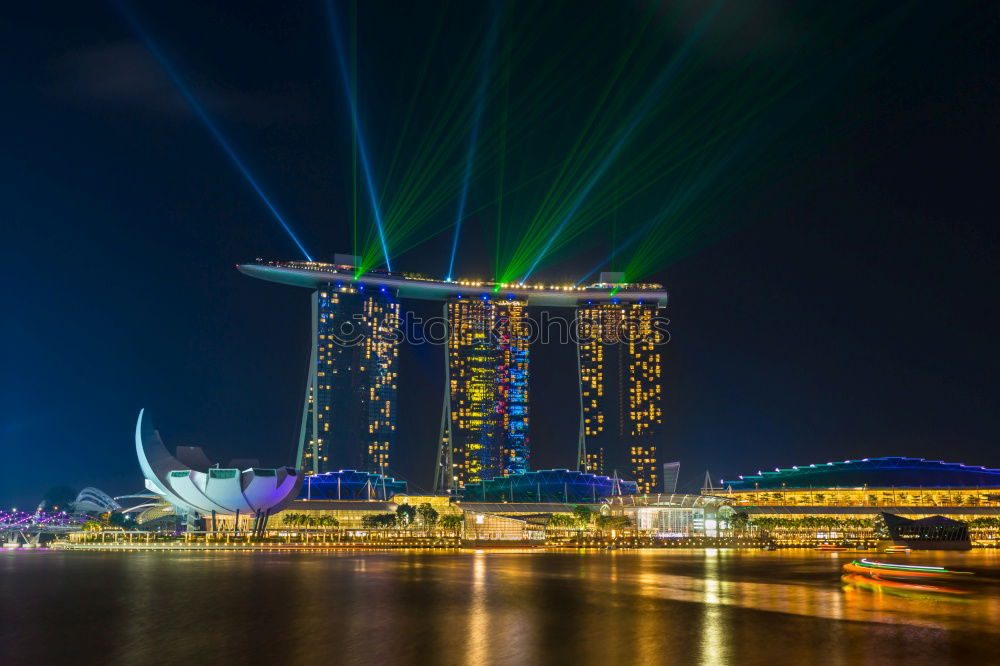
[835,303]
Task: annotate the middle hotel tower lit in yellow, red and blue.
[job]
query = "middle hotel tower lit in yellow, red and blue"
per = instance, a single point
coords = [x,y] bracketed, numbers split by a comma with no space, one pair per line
[484,421]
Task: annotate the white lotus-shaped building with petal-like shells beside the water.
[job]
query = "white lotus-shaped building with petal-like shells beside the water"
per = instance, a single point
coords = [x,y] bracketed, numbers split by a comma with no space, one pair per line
[193,484]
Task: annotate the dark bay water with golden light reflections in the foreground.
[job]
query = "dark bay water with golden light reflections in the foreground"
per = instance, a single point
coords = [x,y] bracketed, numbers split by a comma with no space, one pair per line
[655,606]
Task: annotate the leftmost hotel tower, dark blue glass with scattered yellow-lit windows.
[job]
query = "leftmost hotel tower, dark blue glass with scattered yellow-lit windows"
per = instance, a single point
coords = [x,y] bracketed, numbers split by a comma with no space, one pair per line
[349,413]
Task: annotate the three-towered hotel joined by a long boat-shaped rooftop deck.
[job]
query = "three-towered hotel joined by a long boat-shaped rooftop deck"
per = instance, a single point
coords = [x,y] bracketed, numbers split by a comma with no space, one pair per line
[484,422]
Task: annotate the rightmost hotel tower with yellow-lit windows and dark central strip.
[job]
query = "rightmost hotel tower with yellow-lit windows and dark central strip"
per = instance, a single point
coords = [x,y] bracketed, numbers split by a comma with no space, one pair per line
[620,370]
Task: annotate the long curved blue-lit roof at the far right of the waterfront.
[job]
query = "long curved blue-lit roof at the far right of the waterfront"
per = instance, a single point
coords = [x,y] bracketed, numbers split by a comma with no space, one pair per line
[872,472]
